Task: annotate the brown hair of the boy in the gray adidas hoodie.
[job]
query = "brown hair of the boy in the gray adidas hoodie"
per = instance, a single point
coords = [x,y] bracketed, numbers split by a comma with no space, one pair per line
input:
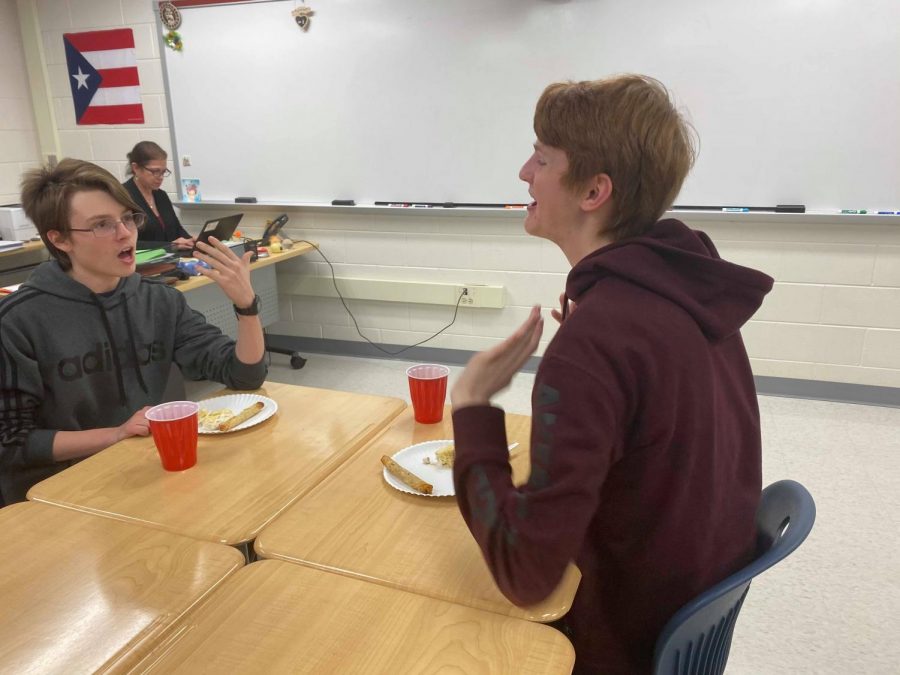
[47,194]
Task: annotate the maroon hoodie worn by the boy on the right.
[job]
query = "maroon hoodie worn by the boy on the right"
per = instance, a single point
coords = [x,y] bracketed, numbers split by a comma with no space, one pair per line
[645,447]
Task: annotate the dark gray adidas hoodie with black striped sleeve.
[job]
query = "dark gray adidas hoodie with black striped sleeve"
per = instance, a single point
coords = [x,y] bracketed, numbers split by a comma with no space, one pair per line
[71,359]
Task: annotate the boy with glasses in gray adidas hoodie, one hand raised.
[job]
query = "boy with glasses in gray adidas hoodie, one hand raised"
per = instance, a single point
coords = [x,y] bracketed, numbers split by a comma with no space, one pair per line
[86,344]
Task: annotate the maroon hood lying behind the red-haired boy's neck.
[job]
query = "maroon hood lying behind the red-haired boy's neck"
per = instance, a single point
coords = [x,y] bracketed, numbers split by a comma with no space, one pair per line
[683,266]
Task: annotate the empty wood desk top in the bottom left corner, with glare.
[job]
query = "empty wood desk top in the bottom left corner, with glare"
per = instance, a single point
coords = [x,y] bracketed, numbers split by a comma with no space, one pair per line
[84,594]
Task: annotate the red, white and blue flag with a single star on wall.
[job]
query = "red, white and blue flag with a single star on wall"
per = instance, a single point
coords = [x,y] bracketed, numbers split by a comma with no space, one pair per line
[103,76]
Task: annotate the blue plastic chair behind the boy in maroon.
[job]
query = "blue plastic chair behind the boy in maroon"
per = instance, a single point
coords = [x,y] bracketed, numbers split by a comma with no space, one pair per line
[697,639]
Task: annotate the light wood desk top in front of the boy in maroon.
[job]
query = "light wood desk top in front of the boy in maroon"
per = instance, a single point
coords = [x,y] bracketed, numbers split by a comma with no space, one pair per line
[356,524]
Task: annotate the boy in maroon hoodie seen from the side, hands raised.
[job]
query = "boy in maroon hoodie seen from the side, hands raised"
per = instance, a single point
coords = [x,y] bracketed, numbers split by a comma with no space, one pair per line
[645,440]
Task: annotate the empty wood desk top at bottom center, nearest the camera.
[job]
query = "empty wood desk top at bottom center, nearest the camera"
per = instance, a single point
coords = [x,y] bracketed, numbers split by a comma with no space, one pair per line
[273,617]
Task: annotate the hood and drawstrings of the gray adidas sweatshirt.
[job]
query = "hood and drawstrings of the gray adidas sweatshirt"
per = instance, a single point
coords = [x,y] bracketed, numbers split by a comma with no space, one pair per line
[51,279]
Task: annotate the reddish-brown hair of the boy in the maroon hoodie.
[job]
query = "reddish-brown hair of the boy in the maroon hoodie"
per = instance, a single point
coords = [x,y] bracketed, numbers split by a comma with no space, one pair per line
[628,128]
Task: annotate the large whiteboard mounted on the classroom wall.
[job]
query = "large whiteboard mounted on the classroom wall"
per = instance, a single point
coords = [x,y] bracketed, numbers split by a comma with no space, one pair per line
[795,101]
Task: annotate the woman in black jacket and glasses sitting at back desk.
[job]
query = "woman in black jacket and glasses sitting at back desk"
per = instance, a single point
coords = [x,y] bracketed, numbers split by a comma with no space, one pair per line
[147,164]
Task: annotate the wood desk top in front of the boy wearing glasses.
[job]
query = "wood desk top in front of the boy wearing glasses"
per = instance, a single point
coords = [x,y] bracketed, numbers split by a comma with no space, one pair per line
[241,480]
